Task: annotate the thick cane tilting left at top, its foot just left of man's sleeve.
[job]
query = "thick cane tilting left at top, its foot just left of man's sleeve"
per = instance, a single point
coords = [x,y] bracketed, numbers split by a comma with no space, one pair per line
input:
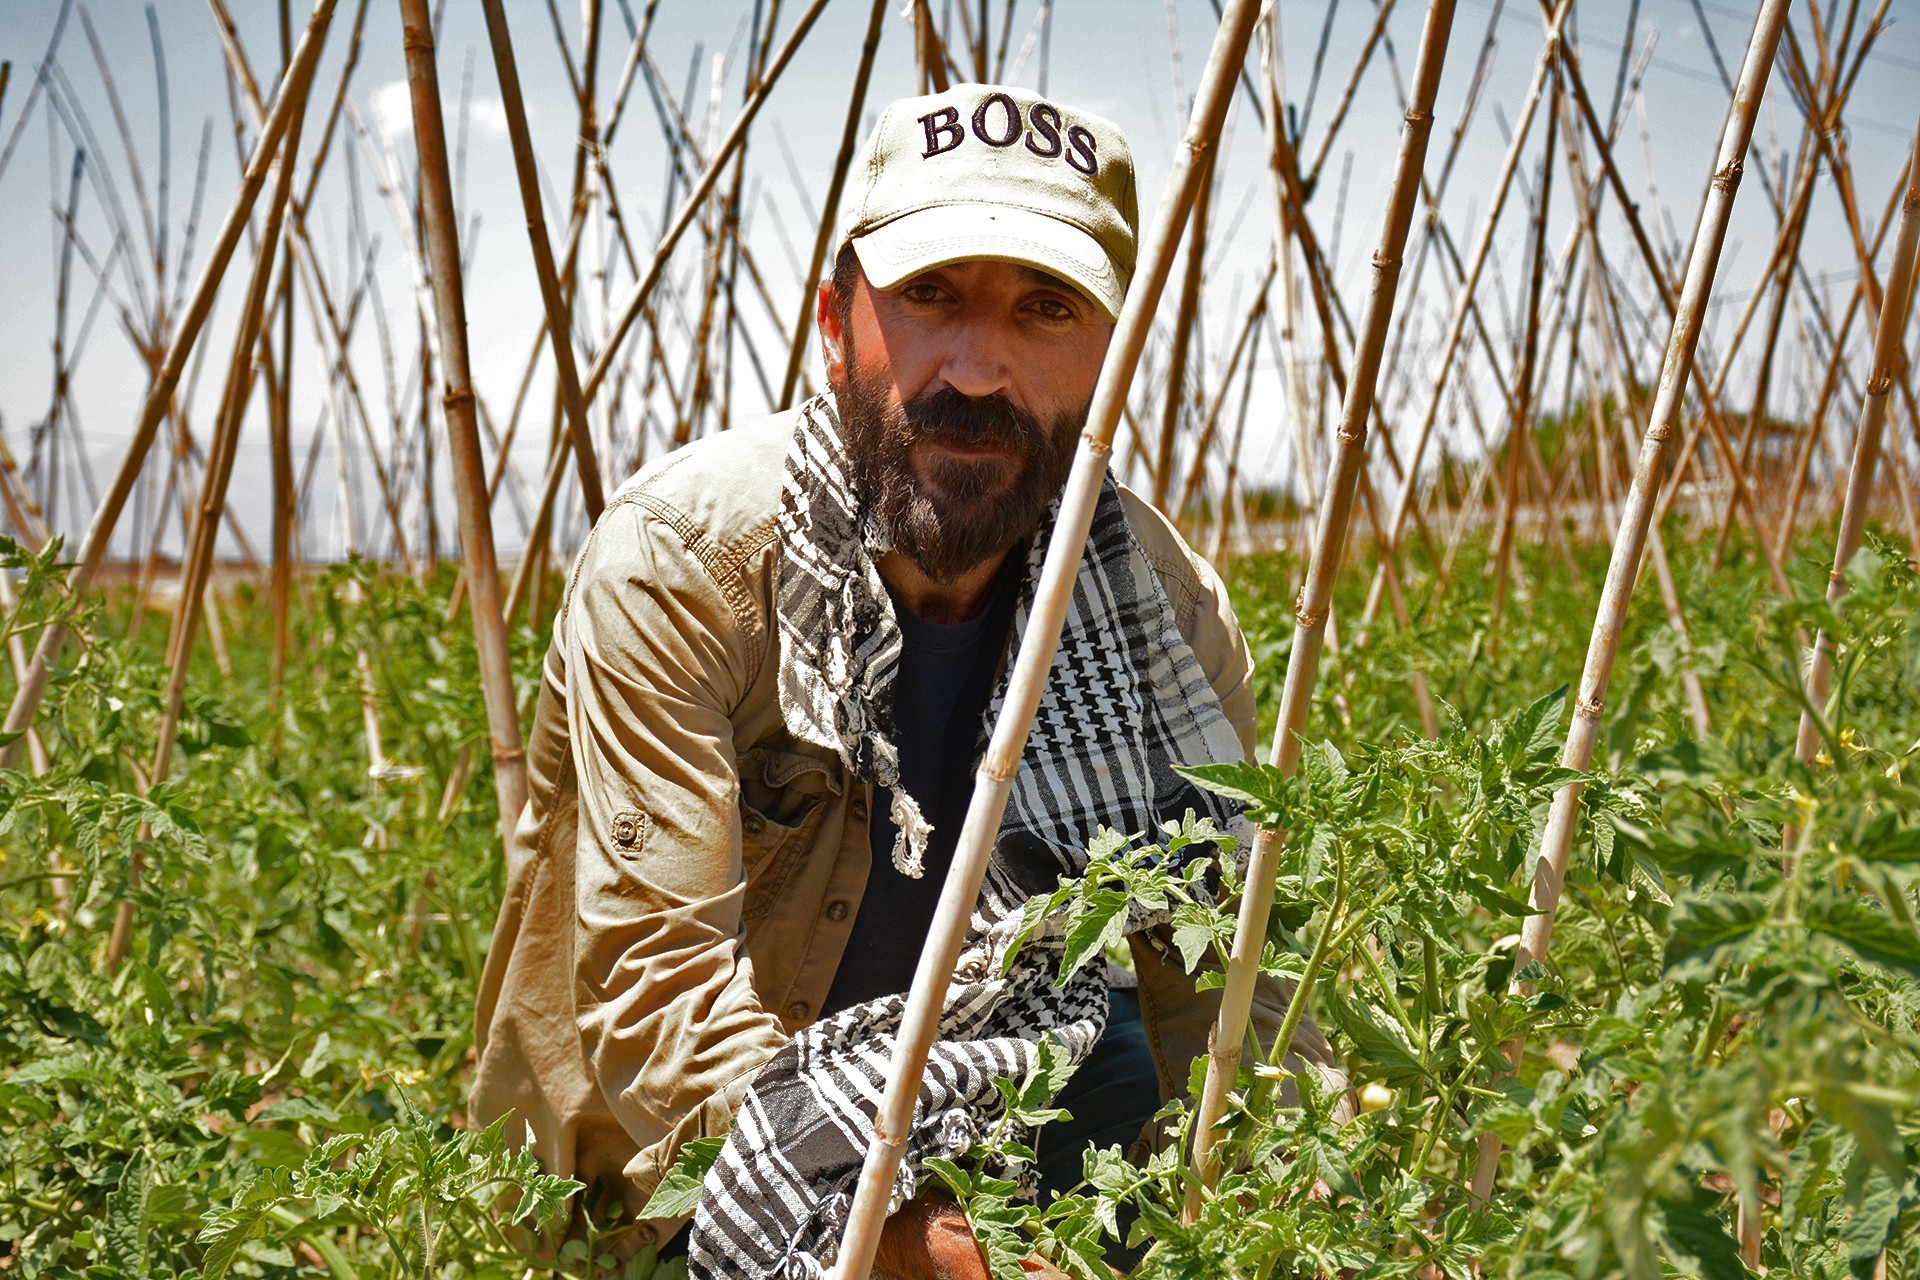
[464,431]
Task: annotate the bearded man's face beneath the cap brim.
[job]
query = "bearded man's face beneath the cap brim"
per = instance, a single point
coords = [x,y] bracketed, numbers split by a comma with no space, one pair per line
[961,396]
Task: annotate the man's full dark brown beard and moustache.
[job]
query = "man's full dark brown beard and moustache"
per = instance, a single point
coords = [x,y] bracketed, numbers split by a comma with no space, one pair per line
[959,513]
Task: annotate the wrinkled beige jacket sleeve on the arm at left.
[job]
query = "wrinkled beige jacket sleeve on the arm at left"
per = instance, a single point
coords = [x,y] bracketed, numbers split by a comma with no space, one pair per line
[663,989]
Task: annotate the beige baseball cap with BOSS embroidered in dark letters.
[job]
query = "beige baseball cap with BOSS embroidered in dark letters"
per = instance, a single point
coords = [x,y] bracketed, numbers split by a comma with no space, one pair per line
[997,174]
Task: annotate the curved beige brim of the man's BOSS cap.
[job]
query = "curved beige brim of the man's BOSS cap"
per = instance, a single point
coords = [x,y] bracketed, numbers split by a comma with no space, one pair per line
[946,235]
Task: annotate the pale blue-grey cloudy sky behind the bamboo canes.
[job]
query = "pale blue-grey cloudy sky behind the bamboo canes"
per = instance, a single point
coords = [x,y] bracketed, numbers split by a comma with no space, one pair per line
[1130,60]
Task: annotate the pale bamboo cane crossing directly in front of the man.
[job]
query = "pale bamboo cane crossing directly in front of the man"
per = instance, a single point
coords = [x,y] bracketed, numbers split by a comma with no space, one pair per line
[1028,676]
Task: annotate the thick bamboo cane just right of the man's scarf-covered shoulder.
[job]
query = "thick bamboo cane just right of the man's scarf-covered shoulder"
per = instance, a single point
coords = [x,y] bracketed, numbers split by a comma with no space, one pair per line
[1316,598]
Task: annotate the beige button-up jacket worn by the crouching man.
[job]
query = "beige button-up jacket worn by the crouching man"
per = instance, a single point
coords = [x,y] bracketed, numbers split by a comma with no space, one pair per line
[686,874]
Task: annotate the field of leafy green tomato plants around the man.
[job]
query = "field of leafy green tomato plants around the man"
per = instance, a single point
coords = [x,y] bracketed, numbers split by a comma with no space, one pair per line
[274,1081]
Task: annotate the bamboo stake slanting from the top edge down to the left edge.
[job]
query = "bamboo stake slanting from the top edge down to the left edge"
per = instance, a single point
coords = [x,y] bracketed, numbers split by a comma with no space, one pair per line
[101,531]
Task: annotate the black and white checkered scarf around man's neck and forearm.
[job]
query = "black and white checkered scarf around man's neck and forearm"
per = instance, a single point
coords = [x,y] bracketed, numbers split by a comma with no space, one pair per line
[1124,703]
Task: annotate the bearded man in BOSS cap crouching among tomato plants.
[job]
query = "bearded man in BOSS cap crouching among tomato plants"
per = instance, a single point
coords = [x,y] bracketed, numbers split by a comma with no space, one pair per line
[769,686]
